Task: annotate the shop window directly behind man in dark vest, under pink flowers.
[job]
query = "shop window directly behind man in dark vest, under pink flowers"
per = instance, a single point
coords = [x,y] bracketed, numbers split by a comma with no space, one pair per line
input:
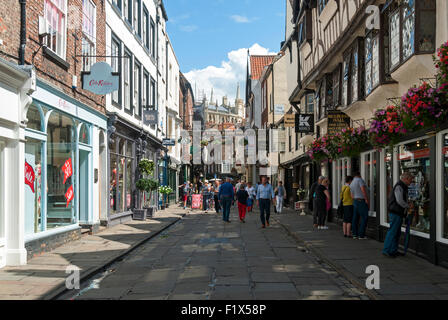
[414,157]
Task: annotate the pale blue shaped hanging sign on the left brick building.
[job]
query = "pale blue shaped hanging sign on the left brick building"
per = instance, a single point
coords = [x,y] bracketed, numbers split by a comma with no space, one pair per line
[101,79]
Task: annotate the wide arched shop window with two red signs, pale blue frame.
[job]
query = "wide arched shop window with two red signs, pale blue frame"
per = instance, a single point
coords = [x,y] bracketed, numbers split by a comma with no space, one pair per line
[61,171]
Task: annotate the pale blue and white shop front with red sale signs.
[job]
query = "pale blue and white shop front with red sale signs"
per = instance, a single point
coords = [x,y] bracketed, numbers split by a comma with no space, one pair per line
[64,169]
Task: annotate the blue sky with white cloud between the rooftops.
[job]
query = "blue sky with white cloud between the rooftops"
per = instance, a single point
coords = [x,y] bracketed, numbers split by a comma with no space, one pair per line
[211,38]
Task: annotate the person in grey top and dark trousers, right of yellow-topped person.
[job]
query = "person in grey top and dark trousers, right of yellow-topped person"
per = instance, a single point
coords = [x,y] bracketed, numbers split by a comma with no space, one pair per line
[361,206]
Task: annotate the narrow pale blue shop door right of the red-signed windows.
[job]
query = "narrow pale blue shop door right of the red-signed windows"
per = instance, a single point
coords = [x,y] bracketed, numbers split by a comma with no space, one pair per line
[84,186]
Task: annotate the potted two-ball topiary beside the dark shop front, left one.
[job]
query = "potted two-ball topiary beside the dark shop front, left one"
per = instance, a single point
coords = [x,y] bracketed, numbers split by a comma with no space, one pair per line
[145,184]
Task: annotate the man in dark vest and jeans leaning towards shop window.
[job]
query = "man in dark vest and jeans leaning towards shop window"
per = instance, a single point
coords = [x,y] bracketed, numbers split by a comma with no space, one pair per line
[397,205]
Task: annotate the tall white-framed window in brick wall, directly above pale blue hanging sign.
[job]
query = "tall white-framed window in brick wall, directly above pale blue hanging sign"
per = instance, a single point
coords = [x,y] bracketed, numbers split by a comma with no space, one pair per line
[88,34]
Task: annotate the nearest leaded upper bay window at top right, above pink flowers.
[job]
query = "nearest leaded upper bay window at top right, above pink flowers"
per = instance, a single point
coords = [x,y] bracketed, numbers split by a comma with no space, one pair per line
[412,26]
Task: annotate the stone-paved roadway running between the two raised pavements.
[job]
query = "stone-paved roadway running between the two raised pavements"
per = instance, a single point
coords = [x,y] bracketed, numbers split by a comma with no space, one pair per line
[203,258]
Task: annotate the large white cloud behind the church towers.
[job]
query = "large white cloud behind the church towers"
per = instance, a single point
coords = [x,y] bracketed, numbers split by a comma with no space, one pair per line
[224,78]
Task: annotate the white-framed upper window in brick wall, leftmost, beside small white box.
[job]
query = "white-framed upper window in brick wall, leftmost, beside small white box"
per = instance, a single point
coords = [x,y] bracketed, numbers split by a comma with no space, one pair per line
[55,14]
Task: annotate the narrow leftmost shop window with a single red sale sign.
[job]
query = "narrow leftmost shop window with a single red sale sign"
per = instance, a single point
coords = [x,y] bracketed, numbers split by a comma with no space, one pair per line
[33,186]
